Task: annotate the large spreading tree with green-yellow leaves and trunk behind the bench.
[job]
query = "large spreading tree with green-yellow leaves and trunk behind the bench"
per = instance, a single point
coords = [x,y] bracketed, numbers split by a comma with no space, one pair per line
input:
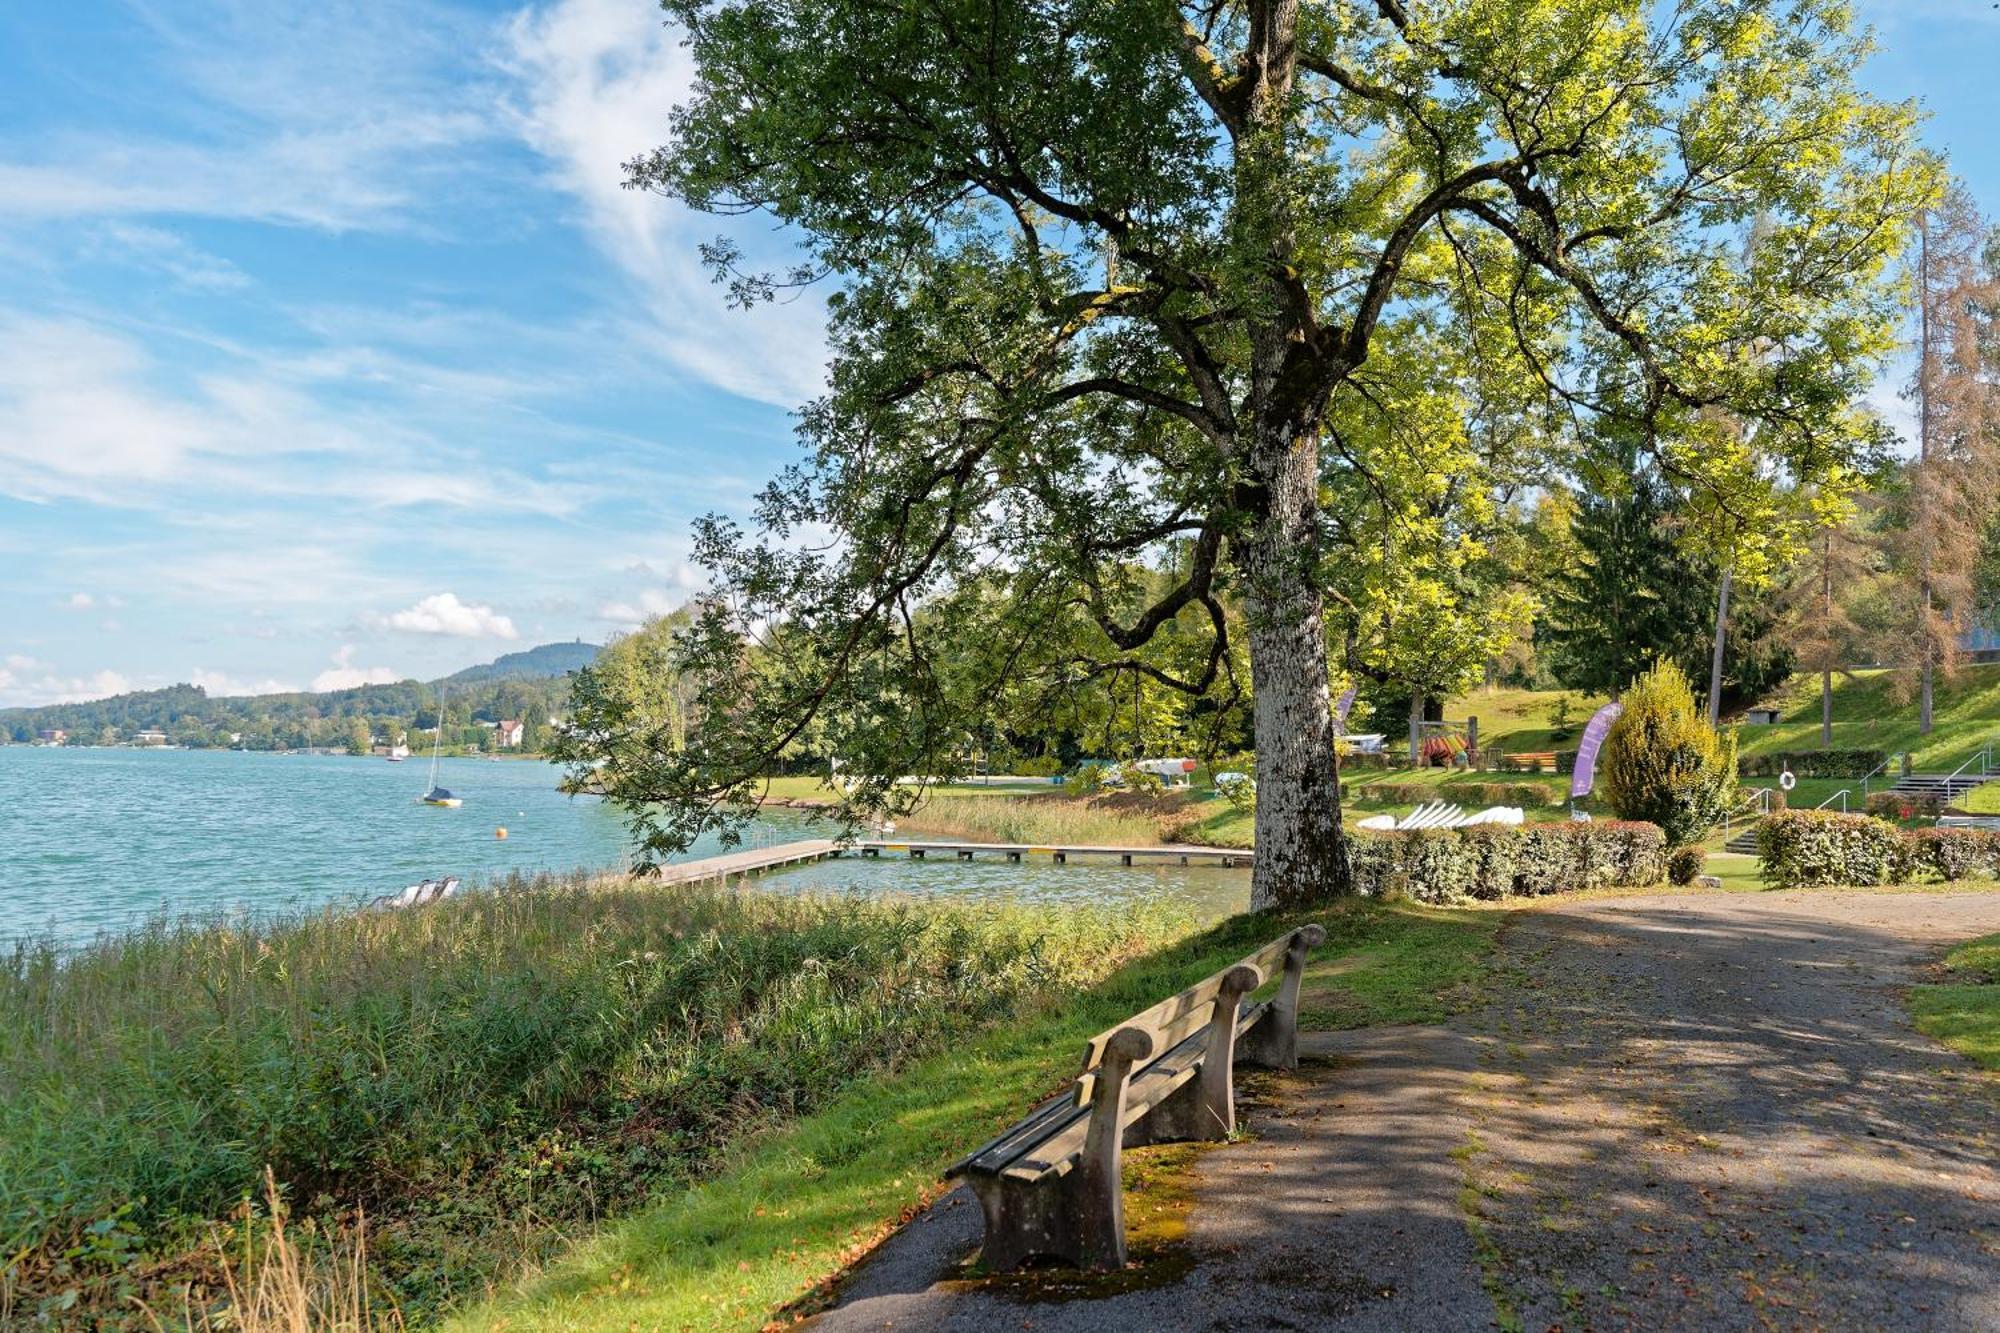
[1107,269]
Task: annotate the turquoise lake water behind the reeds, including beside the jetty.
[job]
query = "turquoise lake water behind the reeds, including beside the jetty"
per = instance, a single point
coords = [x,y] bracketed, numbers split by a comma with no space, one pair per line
[99,840]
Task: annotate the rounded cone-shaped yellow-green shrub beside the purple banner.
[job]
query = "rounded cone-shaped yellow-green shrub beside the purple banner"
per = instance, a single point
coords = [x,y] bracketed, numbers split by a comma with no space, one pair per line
[1665,764]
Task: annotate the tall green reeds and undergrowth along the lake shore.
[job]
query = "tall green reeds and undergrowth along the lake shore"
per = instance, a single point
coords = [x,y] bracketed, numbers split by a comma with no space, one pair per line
[479,1078]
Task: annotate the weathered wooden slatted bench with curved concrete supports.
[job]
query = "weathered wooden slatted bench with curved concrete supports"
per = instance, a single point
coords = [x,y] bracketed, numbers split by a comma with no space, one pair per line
[1049,1186]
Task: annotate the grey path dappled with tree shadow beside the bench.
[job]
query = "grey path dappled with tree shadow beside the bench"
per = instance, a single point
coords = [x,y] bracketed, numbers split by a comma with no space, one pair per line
[1693,1112]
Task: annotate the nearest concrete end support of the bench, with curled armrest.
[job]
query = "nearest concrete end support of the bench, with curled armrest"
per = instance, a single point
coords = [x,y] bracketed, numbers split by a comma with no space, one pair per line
[1077,1218]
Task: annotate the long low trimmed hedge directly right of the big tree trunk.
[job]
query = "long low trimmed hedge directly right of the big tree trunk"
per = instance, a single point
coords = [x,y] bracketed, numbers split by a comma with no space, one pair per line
[1497,862]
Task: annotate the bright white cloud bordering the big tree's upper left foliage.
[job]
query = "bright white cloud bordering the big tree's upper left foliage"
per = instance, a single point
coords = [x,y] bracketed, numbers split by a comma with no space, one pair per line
[599,81]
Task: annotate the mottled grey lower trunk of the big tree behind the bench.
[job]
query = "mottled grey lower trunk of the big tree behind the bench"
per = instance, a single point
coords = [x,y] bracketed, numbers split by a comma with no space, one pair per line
[1299,854]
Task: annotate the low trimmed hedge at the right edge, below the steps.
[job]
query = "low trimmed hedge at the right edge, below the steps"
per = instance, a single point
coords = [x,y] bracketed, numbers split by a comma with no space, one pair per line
[1811,850]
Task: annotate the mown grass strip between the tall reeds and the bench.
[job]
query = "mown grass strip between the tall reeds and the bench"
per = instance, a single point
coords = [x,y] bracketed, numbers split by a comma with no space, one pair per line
[797,1206]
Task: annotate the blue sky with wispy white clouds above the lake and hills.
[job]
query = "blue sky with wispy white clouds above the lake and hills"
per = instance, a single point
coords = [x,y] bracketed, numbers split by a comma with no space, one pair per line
[333,351]
